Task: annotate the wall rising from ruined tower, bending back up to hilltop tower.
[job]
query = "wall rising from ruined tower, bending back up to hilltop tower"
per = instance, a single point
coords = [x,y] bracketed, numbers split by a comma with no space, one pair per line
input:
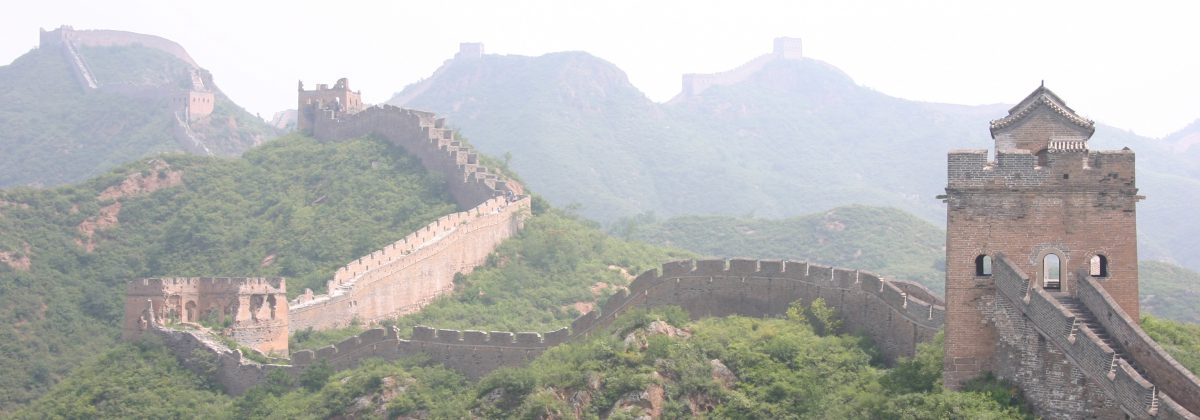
[409,274]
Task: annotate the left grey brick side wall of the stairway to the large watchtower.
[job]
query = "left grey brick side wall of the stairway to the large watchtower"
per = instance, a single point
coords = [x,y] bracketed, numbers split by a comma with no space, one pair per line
[1058,370]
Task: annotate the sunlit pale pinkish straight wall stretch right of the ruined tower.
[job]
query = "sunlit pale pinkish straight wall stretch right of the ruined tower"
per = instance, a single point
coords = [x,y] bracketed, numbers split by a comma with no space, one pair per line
[411,273]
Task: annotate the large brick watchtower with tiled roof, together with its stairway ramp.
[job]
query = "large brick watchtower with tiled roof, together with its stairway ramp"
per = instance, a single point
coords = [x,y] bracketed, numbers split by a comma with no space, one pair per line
[1034,239]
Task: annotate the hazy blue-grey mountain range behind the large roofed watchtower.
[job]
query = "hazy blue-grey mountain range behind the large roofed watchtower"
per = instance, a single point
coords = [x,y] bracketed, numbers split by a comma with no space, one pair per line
[788,137]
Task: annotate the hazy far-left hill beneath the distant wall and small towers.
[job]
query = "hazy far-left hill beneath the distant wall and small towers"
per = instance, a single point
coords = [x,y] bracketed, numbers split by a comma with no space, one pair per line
[55,133]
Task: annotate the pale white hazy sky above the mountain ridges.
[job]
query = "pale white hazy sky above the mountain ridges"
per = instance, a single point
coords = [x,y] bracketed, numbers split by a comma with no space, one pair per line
[1133,65]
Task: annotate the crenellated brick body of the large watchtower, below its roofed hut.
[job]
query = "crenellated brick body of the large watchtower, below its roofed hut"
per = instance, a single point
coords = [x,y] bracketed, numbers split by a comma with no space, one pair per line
[1078,206]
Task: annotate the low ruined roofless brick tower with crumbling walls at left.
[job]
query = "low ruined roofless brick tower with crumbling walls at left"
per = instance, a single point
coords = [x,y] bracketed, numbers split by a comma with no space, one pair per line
[257,307]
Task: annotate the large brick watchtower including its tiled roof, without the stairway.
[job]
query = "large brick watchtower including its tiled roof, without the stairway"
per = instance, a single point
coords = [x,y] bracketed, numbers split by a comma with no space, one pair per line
[1047,203]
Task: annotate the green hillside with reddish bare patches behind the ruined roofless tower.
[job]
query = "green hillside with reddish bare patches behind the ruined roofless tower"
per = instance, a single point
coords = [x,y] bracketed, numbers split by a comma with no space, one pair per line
[292,208]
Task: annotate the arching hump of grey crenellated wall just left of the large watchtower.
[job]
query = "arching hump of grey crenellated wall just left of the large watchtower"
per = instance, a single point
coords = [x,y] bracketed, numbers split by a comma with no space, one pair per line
[866,303]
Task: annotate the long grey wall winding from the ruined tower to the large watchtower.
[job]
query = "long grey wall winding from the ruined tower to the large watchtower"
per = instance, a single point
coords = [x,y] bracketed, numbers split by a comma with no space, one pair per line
[895,314]
